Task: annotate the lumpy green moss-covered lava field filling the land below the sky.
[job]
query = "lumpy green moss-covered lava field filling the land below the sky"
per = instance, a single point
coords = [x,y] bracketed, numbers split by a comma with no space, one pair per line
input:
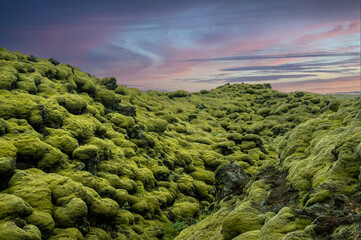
[85,158]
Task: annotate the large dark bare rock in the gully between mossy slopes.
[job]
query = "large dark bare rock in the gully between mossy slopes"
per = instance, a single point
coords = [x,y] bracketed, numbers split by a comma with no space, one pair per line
[230,179]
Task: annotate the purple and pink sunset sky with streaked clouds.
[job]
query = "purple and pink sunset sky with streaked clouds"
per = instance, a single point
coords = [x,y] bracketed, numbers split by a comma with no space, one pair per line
[166,45]
